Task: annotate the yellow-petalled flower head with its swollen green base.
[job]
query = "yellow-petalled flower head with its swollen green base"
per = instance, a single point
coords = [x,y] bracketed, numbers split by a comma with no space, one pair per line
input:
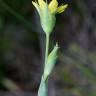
[47,13]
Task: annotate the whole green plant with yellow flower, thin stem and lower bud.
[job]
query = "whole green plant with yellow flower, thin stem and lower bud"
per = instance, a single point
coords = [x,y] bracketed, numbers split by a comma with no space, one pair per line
[47,14]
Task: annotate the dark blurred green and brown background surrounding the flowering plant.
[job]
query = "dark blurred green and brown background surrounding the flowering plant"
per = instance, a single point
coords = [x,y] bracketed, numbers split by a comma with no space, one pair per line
[22,47]
